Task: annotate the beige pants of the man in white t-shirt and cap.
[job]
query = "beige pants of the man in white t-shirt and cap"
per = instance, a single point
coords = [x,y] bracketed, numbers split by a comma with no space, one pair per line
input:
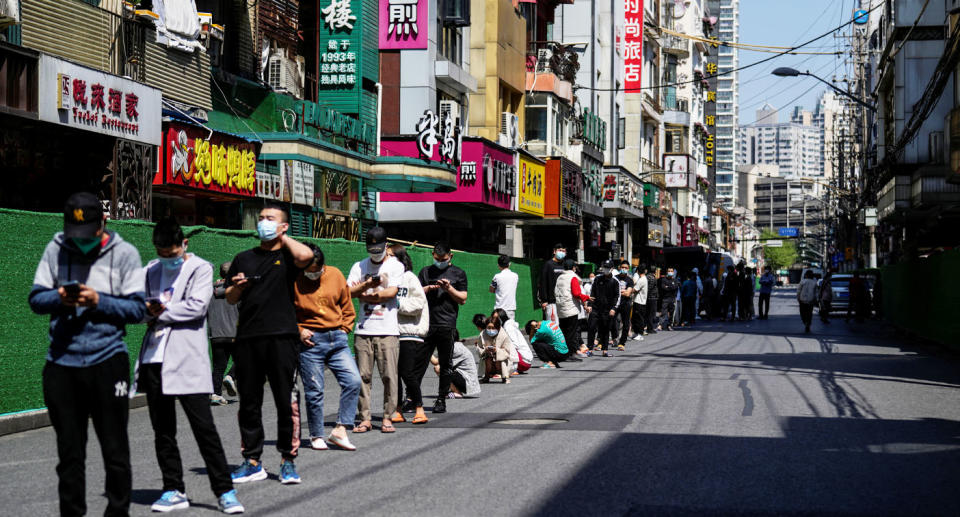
[385,351]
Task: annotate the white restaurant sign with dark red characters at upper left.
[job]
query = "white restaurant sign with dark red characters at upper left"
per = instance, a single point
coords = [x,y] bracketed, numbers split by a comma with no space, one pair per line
[83,98]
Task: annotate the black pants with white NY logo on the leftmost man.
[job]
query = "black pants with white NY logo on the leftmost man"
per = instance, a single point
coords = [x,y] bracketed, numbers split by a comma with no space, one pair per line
[98,393]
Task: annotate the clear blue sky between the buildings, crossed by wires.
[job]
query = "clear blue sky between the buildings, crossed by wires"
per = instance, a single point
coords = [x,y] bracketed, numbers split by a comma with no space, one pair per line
[787,23]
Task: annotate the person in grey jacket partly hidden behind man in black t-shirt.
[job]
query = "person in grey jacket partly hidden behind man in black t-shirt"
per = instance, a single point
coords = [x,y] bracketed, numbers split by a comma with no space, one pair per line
[222,323]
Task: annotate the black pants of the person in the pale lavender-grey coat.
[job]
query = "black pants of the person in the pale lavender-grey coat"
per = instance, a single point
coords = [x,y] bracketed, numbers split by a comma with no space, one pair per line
[163,417]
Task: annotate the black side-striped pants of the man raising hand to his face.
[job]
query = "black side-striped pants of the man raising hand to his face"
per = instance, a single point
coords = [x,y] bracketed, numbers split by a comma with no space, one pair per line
[276,359]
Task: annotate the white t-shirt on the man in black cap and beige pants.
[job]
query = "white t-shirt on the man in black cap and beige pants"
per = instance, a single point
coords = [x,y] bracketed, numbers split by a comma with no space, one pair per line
[377,319]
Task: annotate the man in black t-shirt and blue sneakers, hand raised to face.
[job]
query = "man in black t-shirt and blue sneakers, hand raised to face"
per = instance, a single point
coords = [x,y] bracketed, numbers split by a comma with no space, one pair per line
[268,342]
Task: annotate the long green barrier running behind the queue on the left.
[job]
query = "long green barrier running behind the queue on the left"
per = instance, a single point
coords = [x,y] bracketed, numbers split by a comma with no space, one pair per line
[23,334]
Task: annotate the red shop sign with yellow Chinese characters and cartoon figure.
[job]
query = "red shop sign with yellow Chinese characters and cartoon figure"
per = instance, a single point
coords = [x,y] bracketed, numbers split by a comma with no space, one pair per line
[220,163]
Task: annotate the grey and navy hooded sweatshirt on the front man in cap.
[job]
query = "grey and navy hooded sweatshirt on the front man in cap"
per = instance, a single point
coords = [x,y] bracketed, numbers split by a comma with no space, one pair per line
[85,336]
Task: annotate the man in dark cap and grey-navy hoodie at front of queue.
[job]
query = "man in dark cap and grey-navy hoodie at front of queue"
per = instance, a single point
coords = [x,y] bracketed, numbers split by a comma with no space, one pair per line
[90,282]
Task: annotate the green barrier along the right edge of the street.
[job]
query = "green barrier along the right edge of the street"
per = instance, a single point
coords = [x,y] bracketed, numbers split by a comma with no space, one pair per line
[921,296]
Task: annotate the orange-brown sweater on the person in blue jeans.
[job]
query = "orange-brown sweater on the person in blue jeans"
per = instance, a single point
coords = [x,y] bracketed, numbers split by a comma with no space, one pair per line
[325,303]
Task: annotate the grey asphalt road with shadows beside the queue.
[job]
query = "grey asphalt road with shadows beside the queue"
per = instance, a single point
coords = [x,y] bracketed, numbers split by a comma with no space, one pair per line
[751,418]
